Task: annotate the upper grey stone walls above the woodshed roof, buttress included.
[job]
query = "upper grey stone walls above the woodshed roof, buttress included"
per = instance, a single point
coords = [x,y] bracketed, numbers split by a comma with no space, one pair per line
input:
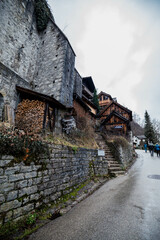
[45,60]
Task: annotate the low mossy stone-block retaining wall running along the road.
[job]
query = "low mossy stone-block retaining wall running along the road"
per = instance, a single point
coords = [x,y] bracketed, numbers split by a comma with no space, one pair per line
[24,188]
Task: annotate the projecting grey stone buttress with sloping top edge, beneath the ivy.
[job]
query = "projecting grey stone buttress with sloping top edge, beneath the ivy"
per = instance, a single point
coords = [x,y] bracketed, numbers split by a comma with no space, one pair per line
[55,65]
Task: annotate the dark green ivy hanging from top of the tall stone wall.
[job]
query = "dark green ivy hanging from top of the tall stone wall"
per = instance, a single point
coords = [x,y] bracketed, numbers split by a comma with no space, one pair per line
[43,14]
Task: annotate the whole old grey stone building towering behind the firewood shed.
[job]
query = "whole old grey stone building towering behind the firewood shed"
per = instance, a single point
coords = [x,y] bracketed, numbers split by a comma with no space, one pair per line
[41,61]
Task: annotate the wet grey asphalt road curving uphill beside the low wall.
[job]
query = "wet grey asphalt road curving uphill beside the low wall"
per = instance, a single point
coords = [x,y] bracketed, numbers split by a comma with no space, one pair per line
[125,208]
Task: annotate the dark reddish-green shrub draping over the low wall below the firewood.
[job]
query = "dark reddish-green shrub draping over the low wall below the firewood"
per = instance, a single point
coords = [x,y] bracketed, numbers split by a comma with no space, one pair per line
[18,144]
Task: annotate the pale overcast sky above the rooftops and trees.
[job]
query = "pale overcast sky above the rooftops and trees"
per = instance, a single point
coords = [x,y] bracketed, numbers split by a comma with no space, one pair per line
[117,42]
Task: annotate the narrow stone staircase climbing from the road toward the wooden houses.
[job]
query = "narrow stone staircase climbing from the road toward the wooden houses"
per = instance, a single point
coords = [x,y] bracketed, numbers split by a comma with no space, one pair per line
[114,167]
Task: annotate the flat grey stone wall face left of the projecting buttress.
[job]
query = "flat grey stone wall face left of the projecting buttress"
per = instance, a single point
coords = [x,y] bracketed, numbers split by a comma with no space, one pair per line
[19,42]
